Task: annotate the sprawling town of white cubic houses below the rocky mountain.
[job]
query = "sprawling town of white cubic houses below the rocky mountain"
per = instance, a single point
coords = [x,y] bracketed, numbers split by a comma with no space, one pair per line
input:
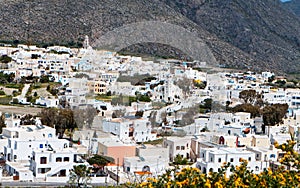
[151,114]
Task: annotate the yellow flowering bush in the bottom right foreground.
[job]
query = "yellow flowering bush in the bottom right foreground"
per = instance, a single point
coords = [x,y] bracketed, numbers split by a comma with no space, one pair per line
[287,175]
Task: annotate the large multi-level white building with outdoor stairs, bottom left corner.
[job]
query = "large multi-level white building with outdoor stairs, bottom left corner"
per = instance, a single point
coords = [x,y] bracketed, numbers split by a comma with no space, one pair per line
[35,151]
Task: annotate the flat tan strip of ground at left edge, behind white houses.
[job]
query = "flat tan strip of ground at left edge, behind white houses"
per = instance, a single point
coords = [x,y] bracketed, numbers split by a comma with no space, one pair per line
[19,110]
